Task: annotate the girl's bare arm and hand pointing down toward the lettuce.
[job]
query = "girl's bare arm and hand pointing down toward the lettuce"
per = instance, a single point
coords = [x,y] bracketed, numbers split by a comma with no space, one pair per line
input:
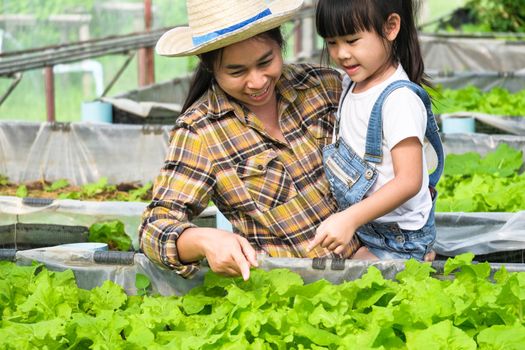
[407,158]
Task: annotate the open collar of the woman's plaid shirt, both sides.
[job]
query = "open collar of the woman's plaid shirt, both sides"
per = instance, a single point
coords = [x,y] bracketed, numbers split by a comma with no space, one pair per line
[219,103]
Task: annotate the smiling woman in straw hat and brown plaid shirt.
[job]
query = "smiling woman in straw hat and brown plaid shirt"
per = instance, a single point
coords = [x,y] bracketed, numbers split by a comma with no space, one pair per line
[249,139]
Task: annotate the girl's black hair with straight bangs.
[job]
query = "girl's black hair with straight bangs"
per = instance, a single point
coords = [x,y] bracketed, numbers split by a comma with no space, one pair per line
[347,17]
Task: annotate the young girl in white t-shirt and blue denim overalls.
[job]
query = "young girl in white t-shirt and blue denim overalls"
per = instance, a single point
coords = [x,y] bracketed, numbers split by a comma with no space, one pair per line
[377,166]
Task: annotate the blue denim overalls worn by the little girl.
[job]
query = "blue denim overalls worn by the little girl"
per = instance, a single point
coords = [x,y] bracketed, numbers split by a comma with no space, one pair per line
[351,177]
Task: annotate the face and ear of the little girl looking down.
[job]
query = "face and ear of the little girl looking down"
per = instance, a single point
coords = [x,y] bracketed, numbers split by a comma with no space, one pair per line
[366,56]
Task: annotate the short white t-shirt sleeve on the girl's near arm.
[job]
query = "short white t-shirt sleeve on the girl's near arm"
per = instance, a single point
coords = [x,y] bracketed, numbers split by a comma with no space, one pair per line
[404,116]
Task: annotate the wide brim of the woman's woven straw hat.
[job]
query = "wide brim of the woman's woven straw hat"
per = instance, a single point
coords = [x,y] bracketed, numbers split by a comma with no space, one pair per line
[178,41]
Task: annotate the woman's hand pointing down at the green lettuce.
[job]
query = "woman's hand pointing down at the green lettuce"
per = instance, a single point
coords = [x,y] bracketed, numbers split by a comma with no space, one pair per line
[227,253]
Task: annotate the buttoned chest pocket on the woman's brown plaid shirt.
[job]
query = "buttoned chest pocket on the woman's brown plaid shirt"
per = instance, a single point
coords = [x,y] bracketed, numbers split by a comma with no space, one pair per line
[266,180]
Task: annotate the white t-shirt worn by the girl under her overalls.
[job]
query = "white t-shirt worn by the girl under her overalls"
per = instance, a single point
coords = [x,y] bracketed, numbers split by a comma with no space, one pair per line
[404,116]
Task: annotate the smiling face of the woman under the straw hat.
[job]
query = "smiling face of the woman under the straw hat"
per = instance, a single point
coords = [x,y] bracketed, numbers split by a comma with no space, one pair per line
[249,70]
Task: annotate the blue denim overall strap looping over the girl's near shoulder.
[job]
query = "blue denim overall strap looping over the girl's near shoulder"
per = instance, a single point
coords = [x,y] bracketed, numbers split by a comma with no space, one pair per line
[374,134]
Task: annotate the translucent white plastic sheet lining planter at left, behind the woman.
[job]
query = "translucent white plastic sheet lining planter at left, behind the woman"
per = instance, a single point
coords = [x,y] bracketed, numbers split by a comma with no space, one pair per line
[82,152]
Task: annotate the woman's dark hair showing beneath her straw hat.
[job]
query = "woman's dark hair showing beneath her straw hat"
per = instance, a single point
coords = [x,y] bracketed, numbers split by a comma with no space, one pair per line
[203,76]
